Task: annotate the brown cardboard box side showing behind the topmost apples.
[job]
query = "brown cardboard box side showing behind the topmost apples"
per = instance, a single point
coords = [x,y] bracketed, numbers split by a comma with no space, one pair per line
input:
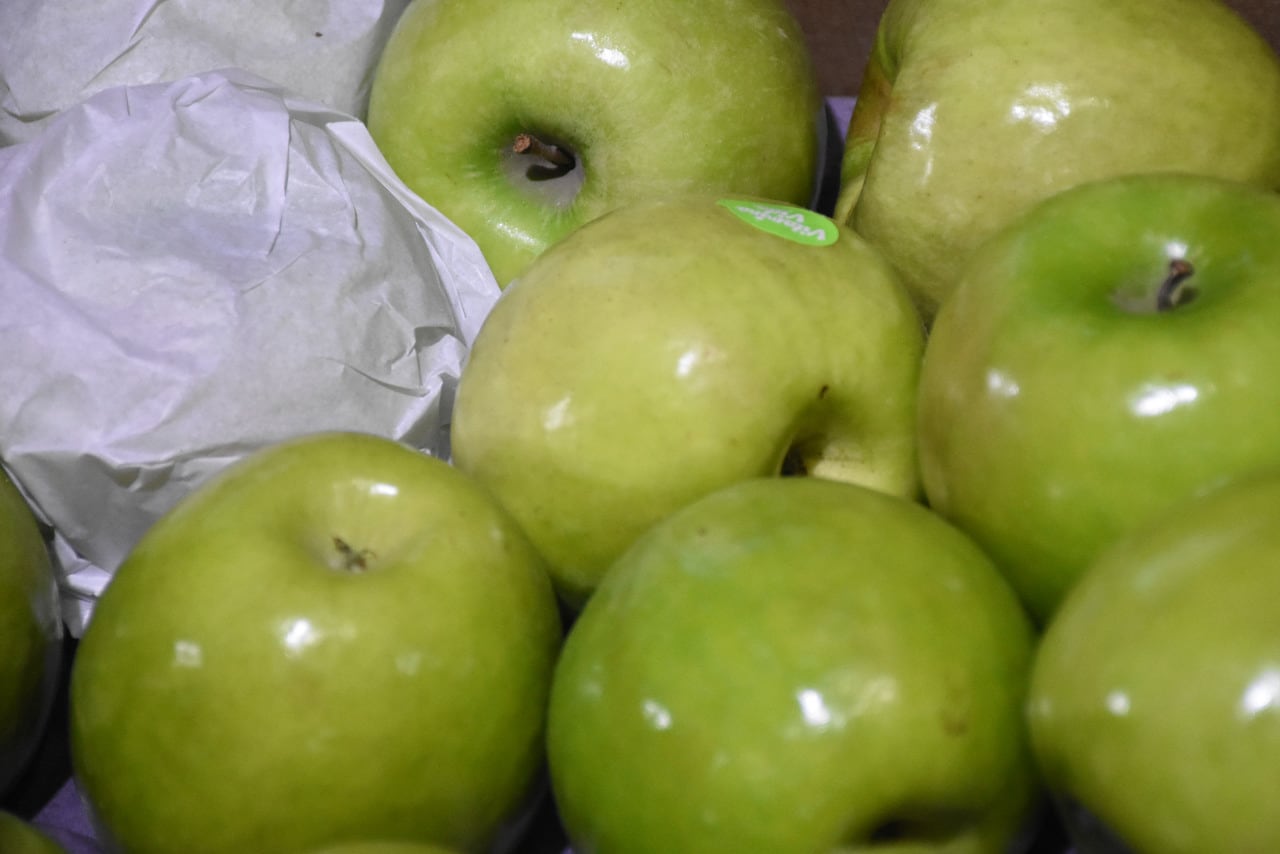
[842,34]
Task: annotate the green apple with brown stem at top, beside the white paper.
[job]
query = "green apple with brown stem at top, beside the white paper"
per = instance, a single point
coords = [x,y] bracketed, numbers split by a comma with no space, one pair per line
[523,121]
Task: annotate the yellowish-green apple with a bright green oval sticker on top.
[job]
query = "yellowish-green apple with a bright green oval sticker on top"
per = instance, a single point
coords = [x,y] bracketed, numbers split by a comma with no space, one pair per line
[676,346]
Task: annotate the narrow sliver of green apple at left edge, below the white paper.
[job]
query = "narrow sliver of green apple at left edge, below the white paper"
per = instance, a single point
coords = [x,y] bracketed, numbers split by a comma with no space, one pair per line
[31,634]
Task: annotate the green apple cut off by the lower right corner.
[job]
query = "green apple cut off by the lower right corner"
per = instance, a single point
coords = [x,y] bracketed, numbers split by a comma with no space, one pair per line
[1155,701]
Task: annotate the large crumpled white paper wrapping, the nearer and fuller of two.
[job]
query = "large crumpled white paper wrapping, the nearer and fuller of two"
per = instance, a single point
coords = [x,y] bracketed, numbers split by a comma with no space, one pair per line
[191,271]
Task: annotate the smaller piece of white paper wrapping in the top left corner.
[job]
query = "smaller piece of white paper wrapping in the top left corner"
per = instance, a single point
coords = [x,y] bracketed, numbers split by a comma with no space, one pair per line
[56,53]
